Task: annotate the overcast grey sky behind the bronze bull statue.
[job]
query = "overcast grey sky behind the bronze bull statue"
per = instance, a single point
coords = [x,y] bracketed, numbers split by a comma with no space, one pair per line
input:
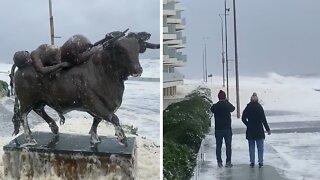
[25,23]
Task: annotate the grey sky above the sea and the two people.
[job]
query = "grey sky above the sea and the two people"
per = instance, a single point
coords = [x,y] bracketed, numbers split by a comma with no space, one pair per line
[273,36]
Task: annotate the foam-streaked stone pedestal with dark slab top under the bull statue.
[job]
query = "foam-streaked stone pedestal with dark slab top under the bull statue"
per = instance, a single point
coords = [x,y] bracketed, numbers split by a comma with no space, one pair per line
[69,156]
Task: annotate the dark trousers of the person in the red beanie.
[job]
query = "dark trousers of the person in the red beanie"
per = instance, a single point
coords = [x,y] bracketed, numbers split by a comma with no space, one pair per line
[227,136]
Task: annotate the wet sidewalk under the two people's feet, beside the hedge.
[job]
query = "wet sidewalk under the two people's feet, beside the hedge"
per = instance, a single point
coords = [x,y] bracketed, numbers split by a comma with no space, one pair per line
[208,169]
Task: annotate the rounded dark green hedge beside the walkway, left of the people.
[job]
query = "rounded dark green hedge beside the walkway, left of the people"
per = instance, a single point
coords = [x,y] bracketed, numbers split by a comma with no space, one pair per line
[184,126]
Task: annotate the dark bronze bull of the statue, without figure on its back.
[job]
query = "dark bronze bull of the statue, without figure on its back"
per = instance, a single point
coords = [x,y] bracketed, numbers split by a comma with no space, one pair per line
[95,86]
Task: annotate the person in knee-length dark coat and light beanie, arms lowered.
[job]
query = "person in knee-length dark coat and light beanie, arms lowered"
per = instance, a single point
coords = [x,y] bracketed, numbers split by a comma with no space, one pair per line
[254,118]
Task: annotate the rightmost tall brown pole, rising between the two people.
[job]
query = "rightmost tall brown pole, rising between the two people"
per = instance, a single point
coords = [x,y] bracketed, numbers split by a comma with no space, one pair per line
[236,58]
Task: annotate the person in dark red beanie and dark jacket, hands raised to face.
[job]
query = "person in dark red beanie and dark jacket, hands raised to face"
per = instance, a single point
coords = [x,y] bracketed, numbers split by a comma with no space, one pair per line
[222,115]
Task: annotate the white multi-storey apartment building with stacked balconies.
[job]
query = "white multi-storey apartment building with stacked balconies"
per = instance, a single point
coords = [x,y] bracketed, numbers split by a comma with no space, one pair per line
[173,25]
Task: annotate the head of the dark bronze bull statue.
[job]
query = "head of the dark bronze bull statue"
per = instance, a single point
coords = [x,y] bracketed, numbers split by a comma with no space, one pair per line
[127,53]
